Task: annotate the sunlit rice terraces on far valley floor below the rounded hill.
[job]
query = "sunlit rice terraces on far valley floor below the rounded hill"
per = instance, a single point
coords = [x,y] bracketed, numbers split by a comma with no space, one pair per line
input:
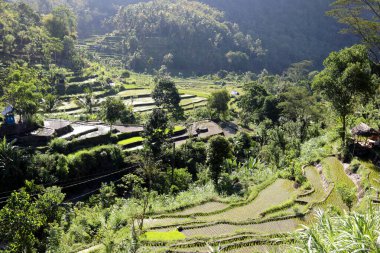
[135,91]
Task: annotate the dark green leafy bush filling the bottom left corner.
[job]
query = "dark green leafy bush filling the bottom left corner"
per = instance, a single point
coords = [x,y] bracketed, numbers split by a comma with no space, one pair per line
[24,217]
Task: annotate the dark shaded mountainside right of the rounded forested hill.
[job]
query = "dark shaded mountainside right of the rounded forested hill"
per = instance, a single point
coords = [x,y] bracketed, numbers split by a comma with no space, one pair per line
[291,30]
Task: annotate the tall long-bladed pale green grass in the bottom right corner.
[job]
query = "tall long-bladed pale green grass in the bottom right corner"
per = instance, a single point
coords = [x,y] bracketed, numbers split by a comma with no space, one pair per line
[353,232]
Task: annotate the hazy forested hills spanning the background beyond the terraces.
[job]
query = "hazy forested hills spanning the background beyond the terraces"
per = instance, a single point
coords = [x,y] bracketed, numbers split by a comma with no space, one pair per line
[289,32]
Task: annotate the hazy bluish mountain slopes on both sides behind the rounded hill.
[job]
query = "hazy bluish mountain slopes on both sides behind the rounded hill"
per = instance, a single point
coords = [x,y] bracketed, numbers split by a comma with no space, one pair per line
[291,30]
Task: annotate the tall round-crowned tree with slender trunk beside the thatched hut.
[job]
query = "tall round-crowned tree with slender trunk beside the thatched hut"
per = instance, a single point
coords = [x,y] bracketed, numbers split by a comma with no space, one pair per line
[346,81]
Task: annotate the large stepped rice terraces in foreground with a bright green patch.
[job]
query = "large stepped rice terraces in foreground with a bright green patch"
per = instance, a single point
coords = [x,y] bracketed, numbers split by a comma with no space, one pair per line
[263,222]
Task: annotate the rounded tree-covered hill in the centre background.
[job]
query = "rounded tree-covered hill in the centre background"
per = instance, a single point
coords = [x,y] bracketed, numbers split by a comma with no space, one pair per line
[225,43]
